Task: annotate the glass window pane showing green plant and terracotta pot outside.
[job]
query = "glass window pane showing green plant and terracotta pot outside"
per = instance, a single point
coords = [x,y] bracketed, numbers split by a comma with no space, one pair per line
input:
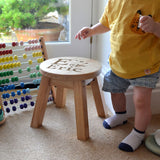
[22,20]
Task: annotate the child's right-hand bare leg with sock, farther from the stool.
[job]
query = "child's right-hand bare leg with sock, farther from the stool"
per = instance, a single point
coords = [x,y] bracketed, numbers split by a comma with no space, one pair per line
[142,102]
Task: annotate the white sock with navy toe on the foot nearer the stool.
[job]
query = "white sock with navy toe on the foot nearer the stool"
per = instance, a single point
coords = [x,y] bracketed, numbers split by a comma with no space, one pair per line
[118,119]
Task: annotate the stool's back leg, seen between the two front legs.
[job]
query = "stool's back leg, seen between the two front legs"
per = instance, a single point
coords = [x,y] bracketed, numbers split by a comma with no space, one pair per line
[60,97]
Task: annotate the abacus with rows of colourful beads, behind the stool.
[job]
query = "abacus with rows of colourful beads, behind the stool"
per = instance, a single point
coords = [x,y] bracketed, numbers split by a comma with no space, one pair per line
[19,74]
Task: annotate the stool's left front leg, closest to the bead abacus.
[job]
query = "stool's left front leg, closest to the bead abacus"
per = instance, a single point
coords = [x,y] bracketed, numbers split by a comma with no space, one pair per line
[41,102]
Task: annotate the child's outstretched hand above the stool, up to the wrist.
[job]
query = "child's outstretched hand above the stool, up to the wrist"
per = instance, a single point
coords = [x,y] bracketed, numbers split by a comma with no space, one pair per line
[84,33]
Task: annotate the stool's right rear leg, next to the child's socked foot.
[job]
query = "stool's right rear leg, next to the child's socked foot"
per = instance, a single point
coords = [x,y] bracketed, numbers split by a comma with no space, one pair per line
[97,98]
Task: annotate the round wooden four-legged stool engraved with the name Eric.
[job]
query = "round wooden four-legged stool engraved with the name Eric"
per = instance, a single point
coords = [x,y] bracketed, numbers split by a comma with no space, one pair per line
[69,72]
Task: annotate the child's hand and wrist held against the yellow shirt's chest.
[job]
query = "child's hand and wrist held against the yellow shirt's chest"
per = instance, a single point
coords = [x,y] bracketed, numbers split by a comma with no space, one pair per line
[147,24]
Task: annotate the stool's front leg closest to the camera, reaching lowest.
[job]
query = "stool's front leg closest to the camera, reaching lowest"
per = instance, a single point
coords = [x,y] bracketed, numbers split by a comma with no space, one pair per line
[81,110]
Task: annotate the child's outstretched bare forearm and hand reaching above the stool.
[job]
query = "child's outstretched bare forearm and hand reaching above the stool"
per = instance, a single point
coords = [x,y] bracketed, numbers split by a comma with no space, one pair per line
[90,31]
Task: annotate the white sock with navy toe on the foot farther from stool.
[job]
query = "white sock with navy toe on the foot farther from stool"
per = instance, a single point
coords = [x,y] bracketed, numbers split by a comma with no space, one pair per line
[132,141]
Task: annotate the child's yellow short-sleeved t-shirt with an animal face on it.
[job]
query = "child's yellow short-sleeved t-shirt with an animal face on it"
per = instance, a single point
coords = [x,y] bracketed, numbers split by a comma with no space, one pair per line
[133,54]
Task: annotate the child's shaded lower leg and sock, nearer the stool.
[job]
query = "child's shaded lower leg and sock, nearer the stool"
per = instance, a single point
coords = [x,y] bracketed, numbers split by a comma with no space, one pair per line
[119,105]
